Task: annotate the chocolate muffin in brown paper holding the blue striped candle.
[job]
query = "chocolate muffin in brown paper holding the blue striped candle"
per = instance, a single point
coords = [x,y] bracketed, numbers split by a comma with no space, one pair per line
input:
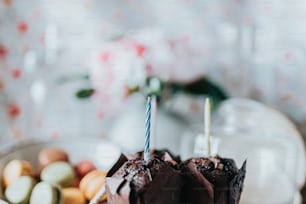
[141,182]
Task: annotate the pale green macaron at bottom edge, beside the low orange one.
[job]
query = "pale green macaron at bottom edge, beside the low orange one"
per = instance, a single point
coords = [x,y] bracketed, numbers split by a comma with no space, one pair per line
[47,193]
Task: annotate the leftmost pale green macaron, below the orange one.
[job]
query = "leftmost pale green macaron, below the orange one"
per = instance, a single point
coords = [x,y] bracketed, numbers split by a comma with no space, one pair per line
[19,191]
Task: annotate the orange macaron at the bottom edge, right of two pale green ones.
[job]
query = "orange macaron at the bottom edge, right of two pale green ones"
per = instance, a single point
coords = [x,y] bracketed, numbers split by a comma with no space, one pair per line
[73,196]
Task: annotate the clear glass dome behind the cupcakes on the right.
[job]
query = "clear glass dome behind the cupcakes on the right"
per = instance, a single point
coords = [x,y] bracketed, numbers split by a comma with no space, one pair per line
[247,130]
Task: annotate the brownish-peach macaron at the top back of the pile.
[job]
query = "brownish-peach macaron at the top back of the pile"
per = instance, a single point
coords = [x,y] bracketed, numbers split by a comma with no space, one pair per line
[50,155]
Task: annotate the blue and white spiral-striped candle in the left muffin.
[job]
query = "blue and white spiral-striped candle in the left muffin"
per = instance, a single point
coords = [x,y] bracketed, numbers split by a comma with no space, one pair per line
[148,129]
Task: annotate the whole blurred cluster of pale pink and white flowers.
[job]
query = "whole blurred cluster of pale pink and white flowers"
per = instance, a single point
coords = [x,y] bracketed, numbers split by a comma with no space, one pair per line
[125,64]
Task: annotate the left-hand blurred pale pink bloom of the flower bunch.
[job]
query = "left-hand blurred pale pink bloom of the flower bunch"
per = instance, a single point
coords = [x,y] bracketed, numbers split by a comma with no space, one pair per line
[115,68]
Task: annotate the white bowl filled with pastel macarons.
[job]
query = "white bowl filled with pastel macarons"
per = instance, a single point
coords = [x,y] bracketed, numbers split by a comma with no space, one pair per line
[63,171]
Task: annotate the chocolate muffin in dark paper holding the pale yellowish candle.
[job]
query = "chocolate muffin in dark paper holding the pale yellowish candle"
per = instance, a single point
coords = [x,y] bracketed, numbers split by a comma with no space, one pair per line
[212,180]
